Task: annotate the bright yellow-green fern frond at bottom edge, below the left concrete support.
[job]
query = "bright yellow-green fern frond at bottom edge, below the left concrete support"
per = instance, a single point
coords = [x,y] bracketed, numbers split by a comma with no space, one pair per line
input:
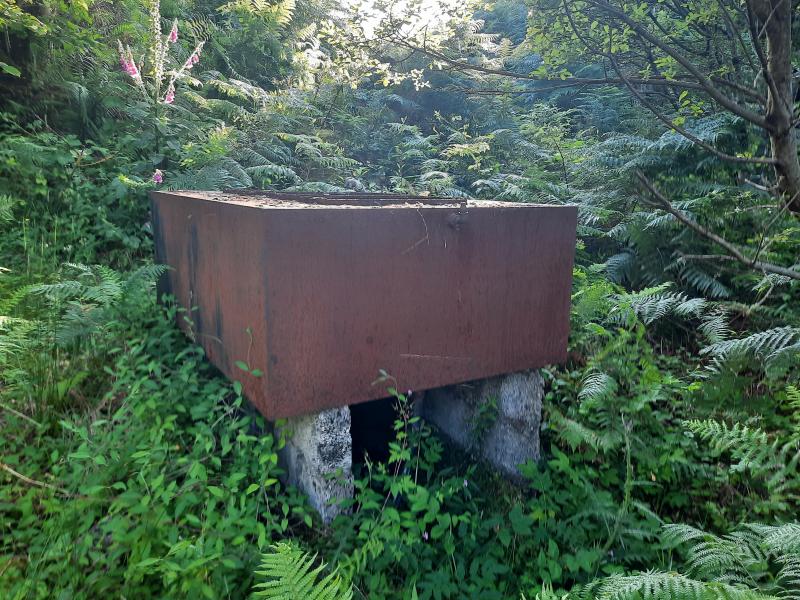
[289,573]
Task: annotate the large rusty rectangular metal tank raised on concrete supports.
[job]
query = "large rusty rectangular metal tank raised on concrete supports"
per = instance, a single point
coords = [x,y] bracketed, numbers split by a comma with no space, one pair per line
[320,292]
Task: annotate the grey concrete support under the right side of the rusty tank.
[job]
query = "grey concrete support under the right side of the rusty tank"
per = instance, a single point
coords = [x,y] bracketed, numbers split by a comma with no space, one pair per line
[497,418]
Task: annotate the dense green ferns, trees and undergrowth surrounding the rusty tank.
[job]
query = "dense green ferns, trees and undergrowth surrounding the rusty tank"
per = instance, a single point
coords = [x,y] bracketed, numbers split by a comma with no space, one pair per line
[130,468]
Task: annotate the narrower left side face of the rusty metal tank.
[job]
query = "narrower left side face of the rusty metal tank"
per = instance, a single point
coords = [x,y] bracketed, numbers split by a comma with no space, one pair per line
[217,282]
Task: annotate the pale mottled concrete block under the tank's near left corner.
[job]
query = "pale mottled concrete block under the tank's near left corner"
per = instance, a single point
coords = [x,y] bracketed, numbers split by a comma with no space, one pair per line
[318,458]
